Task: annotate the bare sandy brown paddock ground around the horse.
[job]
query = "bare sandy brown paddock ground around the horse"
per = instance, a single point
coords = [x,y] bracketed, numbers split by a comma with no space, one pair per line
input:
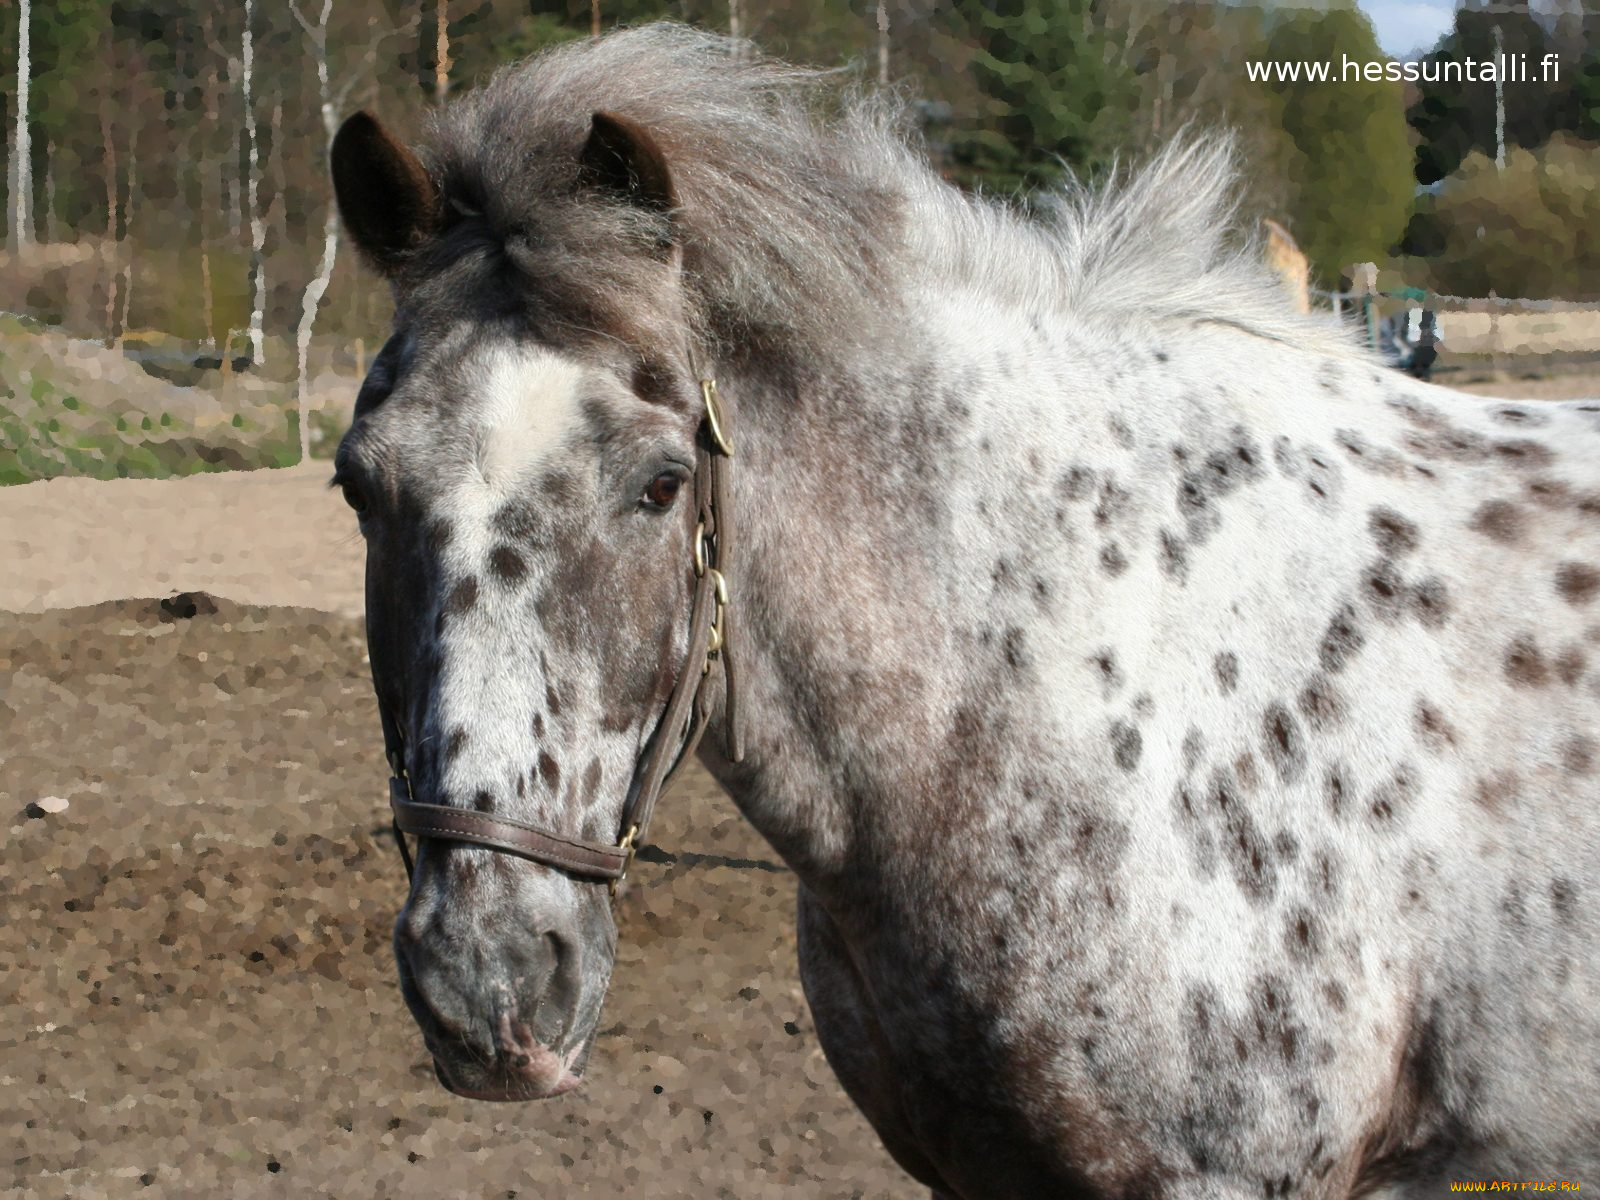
[194,959]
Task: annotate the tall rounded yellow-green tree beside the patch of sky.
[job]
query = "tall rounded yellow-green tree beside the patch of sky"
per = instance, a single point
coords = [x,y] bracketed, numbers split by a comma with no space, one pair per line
[1345,153]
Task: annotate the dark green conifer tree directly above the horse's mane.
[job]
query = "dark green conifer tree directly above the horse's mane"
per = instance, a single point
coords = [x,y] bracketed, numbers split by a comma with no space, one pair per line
[1052,94]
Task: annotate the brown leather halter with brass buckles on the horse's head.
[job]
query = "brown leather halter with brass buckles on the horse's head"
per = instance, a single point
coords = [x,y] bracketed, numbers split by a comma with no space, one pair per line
[676,737]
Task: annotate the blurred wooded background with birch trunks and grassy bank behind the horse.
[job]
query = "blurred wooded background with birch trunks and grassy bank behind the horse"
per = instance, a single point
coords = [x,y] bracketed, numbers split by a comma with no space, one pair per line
[175,295]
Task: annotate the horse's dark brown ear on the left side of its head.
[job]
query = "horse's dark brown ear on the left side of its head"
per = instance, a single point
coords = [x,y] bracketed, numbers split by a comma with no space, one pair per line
[386,198]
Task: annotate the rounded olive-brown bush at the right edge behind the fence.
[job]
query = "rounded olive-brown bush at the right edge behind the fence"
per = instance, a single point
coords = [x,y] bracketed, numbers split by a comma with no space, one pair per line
[1526,231]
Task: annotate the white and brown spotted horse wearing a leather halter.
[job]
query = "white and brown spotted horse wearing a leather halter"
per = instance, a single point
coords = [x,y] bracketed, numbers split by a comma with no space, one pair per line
[1182,729]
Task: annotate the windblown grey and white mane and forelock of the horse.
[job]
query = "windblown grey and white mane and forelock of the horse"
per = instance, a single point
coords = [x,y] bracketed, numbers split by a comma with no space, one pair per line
[807,210]
